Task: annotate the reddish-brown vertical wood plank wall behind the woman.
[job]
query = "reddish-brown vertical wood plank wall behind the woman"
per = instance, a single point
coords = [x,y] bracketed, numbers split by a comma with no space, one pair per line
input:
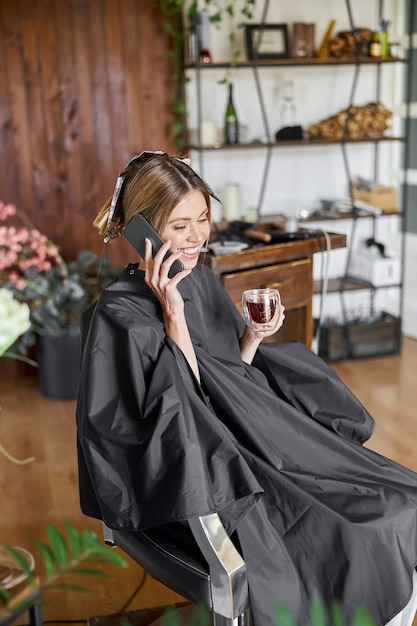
[84,85]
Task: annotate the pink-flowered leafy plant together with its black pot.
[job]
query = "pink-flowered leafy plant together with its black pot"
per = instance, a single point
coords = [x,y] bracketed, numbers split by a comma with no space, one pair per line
[57,292]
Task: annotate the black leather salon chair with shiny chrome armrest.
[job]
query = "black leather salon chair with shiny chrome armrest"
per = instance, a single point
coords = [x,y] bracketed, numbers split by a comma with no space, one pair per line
[203,565]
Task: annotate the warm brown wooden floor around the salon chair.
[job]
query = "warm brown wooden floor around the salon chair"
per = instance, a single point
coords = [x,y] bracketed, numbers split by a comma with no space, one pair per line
[45,490]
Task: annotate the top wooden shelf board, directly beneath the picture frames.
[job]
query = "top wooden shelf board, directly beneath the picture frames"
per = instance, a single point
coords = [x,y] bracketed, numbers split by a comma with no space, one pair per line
[291,62]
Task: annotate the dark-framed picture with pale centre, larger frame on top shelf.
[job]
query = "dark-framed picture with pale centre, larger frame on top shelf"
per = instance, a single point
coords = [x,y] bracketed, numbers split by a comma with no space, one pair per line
[266,41]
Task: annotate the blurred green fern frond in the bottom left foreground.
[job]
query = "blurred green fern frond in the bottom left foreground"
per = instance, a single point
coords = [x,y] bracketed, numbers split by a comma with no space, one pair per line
[80,553]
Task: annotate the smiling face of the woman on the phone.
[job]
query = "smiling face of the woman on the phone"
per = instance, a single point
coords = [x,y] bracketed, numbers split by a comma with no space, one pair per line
[188,227]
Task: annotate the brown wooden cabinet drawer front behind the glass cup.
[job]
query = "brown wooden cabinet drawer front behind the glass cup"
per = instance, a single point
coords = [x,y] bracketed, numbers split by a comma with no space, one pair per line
[294,281]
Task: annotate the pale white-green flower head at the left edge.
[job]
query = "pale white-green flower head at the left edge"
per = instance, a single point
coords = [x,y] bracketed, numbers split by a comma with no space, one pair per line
[14,319]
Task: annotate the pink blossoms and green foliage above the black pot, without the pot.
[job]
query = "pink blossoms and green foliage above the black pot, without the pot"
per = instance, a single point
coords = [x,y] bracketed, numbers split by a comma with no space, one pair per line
[33,270]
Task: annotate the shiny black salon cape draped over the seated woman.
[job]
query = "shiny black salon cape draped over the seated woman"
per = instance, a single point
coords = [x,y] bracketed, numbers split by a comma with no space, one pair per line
[274,447]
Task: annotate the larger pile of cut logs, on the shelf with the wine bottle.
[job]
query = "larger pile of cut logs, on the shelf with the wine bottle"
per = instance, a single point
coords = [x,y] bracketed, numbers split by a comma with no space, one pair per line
[355,122]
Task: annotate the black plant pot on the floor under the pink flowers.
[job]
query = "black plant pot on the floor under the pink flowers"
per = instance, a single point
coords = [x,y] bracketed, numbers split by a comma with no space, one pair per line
[59,366]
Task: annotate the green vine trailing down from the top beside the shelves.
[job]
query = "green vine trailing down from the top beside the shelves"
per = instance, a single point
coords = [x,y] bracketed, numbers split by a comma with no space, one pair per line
[175,13]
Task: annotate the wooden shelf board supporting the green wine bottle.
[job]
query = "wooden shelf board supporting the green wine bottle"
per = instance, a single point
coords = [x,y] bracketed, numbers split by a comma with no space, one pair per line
[299,143]
